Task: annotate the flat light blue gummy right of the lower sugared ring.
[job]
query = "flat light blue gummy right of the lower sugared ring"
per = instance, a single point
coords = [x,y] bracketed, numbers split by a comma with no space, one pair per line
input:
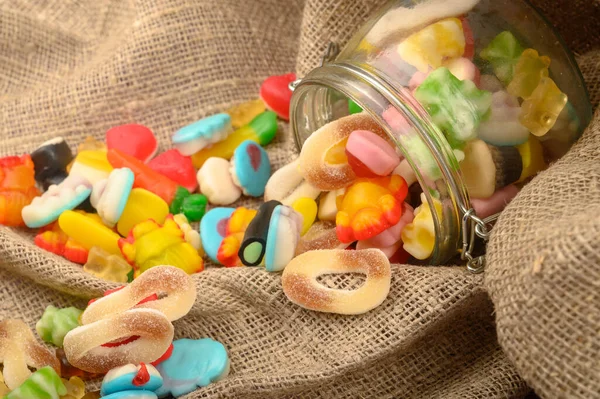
[194,363]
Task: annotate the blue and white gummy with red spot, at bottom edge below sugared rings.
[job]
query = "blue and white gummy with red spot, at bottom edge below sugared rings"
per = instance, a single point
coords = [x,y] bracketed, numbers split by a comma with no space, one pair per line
[131,381]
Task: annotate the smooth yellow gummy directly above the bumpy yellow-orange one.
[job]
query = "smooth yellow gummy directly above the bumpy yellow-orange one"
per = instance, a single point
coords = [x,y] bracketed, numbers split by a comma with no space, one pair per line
[141,205]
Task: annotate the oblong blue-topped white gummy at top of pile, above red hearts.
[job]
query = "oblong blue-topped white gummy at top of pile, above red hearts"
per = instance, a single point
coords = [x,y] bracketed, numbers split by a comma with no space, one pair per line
[192,138]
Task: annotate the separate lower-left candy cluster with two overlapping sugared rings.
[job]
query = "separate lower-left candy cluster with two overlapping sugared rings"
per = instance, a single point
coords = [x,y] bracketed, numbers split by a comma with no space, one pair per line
[126,335]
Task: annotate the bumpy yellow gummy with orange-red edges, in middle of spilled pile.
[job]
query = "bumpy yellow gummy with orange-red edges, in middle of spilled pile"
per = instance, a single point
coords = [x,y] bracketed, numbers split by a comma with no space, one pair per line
[149,244]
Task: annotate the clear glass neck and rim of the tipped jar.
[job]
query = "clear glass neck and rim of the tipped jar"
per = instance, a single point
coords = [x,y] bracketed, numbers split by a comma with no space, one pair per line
[321,97]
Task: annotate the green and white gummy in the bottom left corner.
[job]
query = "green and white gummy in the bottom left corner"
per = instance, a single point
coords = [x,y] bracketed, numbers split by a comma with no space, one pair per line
[43,384]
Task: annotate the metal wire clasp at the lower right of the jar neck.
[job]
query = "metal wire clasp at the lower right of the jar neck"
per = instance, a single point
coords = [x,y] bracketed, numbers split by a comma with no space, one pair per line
[473,226]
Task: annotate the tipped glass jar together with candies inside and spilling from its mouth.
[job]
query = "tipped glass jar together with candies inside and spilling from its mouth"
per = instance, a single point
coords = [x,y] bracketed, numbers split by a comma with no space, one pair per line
[464,101]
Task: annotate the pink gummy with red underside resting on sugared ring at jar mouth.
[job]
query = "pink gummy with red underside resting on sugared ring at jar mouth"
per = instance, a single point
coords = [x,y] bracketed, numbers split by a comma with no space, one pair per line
[369,155]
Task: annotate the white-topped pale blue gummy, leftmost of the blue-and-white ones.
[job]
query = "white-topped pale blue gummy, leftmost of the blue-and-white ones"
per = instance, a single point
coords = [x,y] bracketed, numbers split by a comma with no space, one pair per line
[66,196]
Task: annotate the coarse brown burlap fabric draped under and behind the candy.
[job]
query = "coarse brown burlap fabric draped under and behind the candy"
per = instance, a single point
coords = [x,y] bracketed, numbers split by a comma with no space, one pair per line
[76,68]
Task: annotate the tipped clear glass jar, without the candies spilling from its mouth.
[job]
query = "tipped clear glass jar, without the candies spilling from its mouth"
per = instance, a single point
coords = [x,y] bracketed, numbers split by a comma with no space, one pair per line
[438,76]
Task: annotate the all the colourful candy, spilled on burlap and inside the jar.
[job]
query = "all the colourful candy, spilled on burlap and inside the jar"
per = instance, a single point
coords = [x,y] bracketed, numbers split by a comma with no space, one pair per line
[347,204]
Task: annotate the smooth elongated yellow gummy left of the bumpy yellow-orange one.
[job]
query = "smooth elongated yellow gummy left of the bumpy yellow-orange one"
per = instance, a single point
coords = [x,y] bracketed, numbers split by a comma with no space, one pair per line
[89,231]
